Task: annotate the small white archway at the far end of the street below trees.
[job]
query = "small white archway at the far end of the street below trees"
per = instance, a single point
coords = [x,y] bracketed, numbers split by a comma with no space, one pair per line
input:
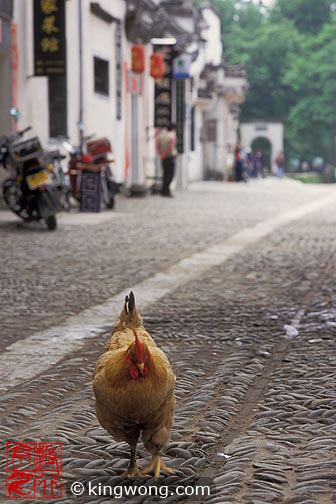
[272,131]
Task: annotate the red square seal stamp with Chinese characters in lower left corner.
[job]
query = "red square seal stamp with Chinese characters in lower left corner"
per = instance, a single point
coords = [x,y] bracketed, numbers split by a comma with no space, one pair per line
[34,470]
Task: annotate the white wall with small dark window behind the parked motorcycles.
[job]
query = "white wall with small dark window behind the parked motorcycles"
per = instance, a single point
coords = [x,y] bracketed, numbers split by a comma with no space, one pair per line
[99,111]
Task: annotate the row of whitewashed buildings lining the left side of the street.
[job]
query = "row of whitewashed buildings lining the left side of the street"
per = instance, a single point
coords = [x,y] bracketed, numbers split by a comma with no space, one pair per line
[98,93]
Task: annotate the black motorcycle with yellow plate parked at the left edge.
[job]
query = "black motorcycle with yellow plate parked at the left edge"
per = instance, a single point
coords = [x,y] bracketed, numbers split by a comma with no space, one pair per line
[29,193]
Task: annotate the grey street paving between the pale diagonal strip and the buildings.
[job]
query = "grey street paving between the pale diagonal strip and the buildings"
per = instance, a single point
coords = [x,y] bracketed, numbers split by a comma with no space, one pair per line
[47,277]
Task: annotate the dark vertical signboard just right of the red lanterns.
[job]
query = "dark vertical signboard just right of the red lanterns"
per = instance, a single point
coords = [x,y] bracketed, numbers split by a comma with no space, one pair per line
[163,89]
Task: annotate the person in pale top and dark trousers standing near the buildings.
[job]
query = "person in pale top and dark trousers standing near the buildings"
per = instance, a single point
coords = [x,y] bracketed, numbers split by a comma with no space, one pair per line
[167,150]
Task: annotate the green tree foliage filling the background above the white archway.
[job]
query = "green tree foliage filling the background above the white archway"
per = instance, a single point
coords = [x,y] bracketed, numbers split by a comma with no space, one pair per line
[289,52]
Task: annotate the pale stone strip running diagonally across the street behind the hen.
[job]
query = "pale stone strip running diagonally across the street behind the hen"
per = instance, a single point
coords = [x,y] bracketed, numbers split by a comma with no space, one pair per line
[36,353]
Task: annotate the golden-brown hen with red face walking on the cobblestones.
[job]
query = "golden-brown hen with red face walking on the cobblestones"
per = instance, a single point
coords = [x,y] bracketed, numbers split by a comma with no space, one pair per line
[134,385]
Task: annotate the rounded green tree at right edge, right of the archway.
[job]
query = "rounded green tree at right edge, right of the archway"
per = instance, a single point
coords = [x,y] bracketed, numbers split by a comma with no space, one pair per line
[312,77]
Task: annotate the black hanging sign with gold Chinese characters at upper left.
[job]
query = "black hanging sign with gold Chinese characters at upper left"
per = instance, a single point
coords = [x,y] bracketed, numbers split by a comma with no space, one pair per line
[49,37]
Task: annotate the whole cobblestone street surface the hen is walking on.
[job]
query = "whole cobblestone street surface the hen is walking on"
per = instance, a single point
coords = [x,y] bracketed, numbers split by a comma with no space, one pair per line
[237,284]
